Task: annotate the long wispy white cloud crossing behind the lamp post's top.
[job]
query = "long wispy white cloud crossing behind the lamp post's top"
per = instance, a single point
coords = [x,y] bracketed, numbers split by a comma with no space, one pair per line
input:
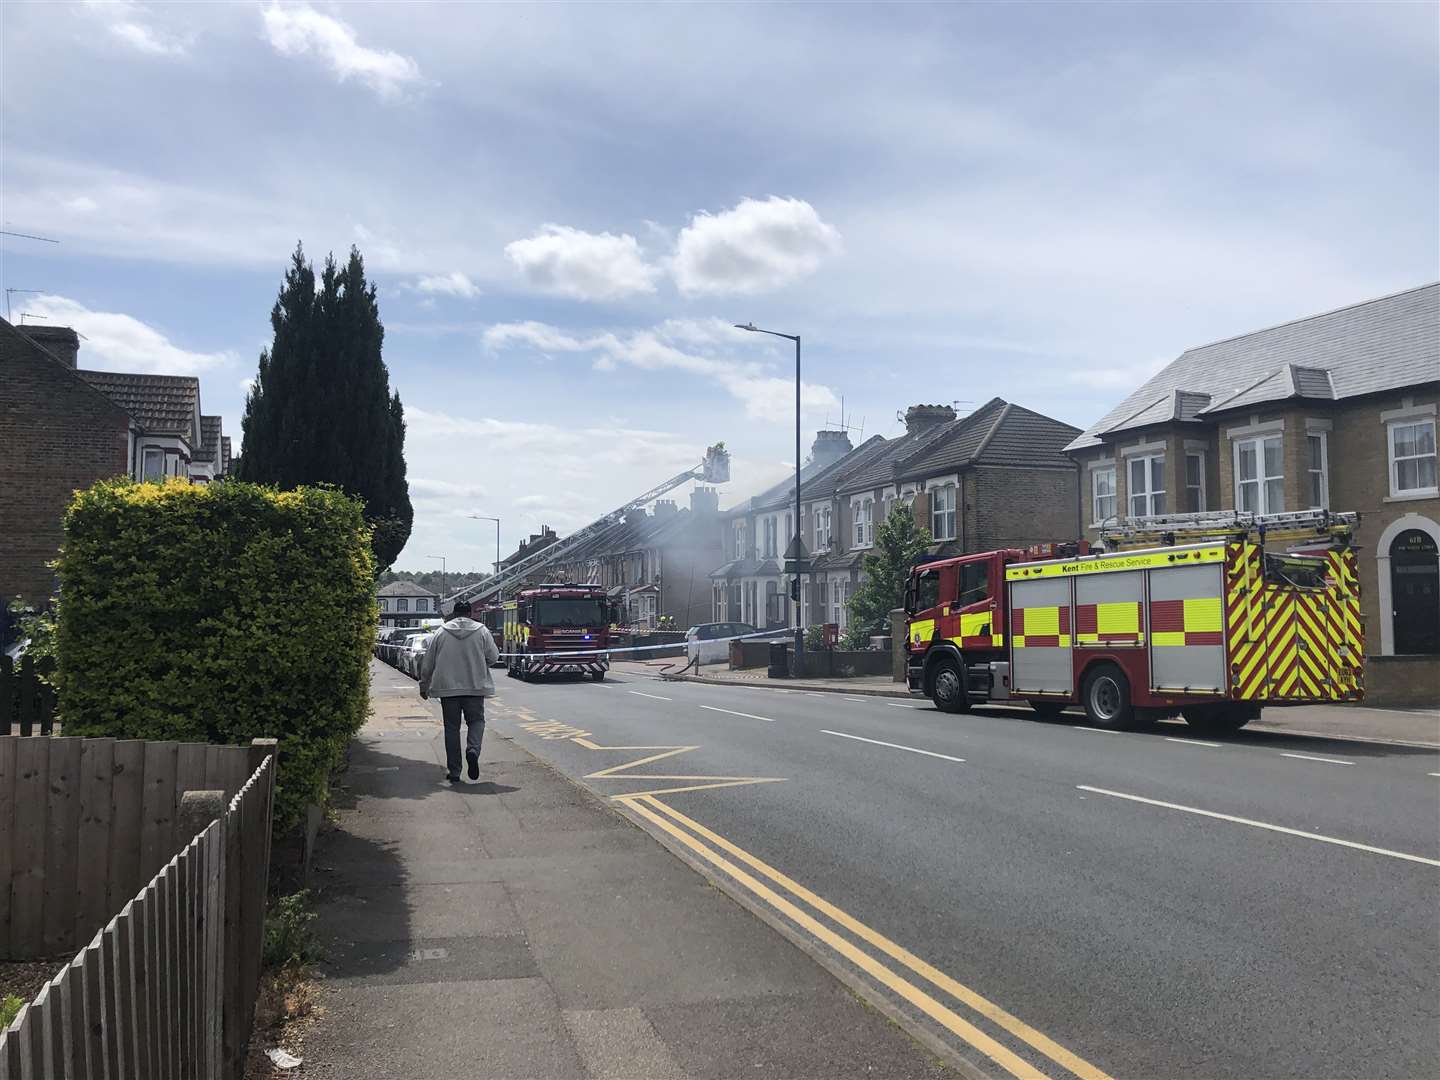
[709,349]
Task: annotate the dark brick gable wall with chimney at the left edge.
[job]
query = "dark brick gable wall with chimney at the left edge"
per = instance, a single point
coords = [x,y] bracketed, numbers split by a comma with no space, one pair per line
[58,434]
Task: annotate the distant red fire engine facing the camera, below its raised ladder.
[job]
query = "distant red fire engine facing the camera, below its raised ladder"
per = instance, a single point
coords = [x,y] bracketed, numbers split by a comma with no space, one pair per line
[554,629]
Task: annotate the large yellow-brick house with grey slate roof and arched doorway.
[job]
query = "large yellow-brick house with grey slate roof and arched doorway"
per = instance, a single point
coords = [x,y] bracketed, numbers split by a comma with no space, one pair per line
[1333,411]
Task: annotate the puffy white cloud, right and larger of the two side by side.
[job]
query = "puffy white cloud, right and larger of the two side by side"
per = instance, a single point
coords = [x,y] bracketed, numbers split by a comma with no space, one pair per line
[754,248]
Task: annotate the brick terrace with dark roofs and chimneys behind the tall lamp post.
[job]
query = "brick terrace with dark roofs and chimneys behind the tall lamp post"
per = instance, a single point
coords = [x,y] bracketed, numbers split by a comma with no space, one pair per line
[993,479]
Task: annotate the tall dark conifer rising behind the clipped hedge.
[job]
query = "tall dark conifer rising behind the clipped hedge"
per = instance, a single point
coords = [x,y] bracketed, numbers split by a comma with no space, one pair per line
[322,410]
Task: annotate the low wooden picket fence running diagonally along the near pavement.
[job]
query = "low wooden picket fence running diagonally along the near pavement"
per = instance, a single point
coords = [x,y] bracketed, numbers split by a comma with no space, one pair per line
[166,990]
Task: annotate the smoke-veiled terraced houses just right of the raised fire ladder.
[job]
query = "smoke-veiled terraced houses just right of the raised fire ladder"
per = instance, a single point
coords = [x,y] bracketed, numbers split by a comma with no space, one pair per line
[653,565]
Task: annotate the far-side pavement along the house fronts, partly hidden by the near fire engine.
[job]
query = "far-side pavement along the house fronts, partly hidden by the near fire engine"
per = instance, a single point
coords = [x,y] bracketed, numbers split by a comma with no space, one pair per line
[1331,722]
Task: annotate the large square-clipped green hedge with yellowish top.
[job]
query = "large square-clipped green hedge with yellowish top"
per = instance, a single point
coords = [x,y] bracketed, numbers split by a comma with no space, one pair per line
[218,614]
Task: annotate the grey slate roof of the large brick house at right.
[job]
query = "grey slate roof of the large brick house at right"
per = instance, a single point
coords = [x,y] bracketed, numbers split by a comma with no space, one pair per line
[1379,345]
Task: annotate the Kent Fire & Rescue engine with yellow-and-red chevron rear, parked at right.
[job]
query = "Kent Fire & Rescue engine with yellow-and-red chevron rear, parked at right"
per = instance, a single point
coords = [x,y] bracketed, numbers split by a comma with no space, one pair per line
[1199,620]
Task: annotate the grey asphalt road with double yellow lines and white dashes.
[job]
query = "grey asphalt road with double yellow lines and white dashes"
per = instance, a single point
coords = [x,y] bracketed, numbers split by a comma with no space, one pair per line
[1042,898]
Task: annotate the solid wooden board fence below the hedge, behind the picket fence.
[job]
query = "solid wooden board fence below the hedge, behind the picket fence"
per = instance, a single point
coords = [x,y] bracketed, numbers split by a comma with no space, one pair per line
[86,823]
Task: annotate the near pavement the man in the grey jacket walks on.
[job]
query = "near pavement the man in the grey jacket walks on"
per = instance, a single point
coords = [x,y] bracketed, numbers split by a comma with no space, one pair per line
[521,928]
